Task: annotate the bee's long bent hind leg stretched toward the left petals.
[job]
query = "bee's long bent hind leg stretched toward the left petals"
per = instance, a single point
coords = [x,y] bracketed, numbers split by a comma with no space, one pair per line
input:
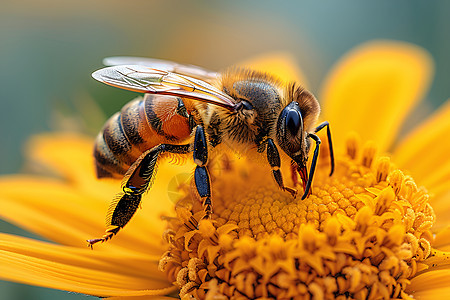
[137,180]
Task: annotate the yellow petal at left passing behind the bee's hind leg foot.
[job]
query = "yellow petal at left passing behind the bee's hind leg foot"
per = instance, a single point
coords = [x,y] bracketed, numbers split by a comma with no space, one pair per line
[58,212]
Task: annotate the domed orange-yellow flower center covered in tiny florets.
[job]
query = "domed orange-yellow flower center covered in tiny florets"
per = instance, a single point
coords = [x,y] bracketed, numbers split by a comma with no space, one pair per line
[361,233]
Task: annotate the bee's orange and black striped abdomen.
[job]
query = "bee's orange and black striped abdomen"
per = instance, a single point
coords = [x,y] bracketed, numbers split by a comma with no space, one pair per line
[141,125]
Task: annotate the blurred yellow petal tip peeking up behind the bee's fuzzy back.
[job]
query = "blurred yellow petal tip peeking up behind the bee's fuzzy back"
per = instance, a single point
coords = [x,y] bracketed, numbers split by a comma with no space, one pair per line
[281,64]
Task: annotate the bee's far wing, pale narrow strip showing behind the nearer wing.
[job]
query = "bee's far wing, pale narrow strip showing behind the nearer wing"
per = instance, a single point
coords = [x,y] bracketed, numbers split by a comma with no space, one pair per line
[166,65]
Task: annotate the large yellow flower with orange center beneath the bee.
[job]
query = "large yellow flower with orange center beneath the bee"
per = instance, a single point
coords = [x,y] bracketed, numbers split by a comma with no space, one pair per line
[378,228]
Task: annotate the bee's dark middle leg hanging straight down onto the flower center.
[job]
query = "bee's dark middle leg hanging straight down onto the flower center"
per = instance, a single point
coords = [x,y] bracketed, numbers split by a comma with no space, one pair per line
[201,175]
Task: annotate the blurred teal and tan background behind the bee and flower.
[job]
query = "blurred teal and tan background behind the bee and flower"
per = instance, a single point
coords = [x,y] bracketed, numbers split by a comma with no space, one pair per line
[49,48]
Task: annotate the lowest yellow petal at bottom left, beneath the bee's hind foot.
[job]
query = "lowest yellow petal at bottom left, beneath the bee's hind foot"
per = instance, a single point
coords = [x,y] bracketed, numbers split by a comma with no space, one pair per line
[79,270]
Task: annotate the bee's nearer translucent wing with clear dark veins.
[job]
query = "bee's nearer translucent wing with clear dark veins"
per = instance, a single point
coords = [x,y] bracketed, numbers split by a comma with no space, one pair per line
[143,79]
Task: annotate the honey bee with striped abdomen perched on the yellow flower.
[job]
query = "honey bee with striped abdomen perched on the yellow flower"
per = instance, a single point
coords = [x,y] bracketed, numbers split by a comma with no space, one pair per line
[188,109]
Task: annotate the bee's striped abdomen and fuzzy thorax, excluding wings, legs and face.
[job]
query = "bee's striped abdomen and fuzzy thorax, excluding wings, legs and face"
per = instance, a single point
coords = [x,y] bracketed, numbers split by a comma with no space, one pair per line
[145,123]
